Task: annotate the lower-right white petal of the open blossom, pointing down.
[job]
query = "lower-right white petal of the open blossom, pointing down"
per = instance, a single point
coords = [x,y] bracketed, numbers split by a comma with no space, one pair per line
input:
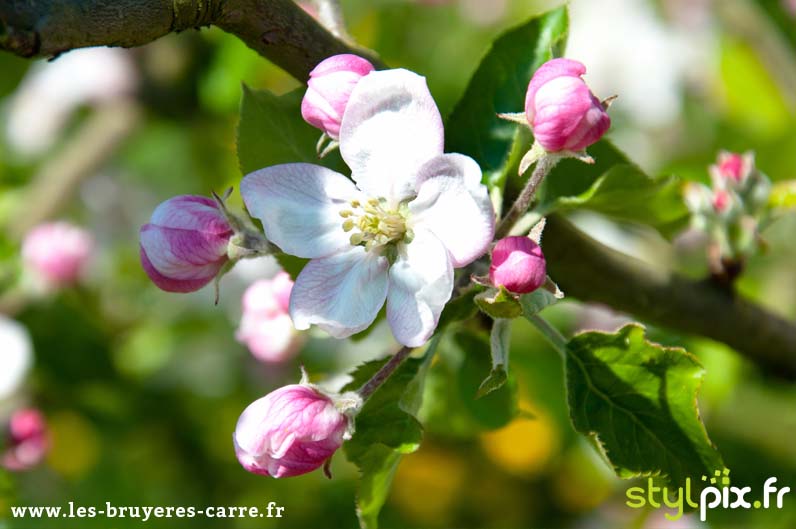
[421,282]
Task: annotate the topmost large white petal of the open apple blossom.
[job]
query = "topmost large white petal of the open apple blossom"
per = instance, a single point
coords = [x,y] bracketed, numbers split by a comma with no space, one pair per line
[390,128]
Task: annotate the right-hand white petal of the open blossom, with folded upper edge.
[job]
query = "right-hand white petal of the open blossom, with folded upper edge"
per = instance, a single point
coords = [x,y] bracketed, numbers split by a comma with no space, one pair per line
[453,204]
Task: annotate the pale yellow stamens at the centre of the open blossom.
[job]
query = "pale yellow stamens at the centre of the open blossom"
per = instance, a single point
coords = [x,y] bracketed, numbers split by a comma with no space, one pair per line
[374,225]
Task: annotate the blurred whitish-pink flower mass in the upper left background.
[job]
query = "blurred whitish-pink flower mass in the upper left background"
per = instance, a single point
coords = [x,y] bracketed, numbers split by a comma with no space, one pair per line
[51,91]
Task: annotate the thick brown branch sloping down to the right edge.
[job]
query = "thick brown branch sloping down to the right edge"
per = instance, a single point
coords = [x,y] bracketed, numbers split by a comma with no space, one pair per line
[589,271]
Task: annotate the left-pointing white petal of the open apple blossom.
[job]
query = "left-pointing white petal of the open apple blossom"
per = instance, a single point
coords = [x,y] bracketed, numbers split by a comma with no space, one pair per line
[299,205]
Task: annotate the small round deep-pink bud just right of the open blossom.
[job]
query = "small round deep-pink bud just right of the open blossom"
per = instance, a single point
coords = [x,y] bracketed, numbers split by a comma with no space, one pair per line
[518,265]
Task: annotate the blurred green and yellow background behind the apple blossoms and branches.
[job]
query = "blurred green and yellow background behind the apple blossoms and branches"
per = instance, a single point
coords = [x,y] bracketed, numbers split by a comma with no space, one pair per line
[141,389]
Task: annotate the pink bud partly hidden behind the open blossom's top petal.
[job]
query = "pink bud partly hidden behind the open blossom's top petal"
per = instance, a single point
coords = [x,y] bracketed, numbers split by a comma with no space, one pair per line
[328,90]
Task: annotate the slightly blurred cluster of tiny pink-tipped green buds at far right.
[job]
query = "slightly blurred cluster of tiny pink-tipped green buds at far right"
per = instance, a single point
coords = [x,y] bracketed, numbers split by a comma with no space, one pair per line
[730,212]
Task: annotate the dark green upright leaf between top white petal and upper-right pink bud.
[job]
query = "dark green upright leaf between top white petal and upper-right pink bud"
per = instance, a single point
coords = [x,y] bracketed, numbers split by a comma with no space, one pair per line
[499,85]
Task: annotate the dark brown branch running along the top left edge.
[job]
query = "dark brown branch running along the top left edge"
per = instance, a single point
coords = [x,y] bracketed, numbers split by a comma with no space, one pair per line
[277,29]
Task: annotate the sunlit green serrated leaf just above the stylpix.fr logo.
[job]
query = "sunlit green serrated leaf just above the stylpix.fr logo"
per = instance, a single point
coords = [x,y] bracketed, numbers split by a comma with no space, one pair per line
[638,400]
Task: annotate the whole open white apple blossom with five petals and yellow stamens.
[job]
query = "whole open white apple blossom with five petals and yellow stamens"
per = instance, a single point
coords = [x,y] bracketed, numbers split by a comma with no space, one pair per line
[411,215]
